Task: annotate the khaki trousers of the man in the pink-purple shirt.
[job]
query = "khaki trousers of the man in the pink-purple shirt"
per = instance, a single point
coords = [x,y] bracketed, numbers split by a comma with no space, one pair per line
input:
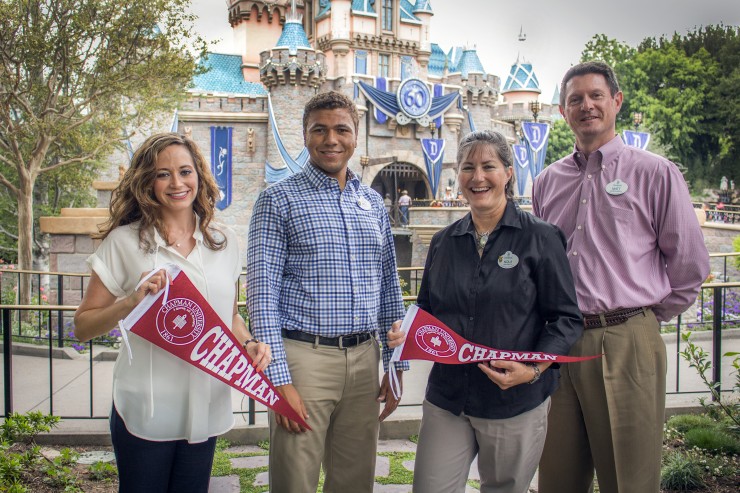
[608,413]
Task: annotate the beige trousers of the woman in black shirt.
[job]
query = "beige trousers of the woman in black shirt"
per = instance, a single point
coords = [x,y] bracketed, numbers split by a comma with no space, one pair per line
[508,450]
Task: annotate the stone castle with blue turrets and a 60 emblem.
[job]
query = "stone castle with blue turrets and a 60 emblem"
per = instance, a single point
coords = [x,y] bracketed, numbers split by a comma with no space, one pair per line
[245,110]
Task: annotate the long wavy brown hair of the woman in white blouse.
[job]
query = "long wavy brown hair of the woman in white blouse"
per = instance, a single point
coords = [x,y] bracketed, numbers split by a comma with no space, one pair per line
[133,200]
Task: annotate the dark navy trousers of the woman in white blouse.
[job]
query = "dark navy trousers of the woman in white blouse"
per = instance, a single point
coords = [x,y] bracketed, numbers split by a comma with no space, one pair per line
[145,466]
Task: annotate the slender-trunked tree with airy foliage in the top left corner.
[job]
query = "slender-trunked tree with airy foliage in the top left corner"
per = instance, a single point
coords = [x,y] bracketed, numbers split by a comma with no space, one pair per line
[73,74]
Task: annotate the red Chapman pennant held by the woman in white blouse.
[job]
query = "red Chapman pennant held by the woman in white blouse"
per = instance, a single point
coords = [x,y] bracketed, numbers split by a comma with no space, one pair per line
[186,326]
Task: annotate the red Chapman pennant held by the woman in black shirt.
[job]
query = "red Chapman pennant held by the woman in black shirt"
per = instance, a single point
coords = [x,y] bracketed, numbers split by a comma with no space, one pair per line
[429,339]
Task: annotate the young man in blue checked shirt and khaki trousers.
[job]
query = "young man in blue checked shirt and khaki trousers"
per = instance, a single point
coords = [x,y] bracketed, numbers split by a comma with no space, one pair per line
[321,284]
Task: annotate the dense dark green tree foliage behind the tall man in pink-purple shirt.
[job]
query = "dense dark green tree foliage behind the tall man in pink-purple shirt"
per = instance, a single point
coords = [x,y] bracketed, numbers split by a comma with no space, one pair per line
[686,88]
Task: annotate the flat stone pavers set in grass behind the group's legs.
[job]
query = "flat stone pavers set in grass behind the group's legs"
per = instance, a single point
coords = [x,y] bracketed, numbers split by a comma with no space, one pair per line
[230,484]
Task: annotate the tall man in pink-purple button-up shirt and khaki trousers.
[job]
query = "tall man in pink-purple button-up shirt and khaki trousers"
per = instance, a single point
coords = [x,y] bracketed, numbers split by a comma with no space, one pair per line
[638,258]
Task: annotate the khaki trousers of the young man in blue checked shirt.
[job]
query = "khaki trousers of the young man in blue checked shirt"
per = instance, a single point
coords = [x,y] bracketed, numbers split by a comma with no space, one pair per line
[339,388]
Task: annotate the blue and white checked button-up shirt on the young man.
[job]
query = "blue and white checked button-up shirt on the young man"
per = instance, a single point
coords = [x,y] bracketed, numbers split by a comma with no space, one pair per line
[320,260]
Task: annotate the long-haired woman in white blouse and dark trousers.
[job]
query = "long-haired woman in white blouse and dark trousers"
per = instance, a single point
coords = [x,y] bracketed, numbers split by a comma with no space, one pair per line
[166,413]
